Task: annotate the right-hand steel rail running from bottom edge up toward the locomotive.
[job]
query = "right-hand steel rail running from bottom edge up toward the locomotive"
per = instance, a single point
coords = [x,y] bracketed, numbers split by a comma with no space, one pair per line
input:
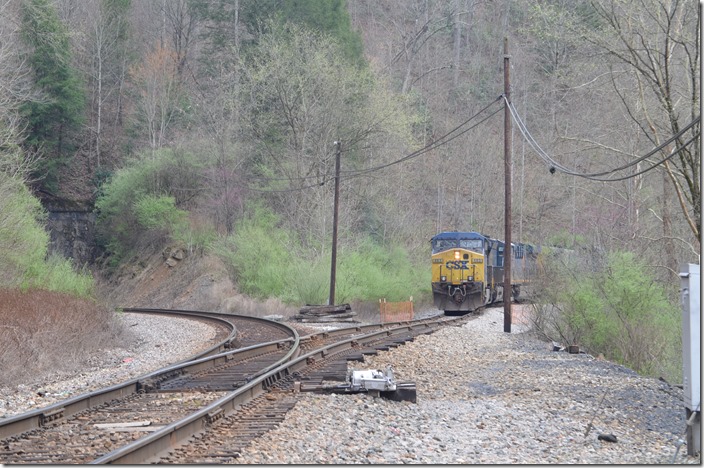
[149,448]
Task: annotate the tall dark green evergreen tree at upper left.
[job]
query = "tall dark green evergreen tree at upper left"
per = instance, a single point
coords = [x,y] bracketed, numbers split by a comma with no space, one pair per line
[58,113]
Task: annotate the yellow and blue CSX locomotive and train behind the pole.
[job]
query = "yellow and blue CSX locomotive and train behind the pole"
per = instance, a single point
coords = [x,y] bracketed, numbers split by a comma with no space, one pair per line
[468,270]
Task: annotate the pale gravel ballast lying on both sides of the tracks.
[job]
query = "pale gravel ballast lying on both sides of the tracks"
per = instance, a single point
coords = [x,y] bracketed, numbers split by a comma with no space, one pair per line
[483,396]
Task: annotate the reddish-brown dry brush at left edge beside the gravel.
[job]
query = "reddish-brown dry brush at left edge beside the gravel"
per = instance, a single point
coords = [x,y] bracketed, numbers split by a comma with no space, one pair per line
[42,331]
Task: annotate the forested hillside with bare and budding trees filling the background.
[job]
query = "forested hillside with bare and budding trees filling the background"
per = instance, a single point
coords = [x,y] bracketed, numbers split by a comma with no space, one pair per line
[211,124]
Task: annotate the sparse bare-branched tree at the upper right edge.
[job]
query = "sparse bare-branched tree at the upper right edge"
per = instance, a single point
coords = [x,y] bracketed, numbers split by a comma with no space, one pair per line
[657,44]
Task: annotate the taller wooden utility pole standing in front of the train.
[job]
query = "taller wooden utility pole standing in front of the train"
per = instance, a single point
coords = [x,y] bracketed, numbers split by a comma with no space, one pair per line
[507,193]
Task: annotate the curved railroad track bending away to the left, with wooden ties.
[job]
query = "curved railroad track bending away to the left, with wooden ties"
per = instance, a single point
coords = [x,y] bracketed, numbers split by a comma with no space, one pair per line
[85,427]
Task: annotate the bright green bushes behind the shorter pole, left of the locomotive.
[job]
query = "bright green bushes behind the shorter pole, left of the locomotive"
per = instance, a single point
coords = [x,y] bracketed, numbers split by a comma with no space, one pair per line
[268,261]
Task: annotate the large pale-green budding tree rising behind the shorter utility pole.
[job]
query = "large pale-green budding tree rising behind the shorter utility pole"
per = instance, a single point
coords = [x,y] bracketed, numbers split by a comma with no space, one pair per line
[299,97]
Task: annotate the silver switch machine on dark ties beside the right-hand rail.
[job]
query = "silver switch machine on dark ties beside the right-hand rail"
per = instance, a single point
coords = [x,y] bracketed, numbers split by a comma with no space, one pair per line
[373,381]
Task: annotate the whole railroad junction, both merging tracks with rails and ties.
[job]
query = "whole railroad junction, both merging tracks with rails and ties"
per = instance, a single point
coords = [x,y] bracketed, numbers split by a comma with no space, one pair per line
[192,404]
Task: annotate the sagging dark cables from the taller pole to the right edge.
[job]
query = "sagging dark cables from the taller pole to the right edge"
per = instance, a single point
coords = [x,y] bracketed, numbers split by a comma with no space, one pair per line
[554,165]
